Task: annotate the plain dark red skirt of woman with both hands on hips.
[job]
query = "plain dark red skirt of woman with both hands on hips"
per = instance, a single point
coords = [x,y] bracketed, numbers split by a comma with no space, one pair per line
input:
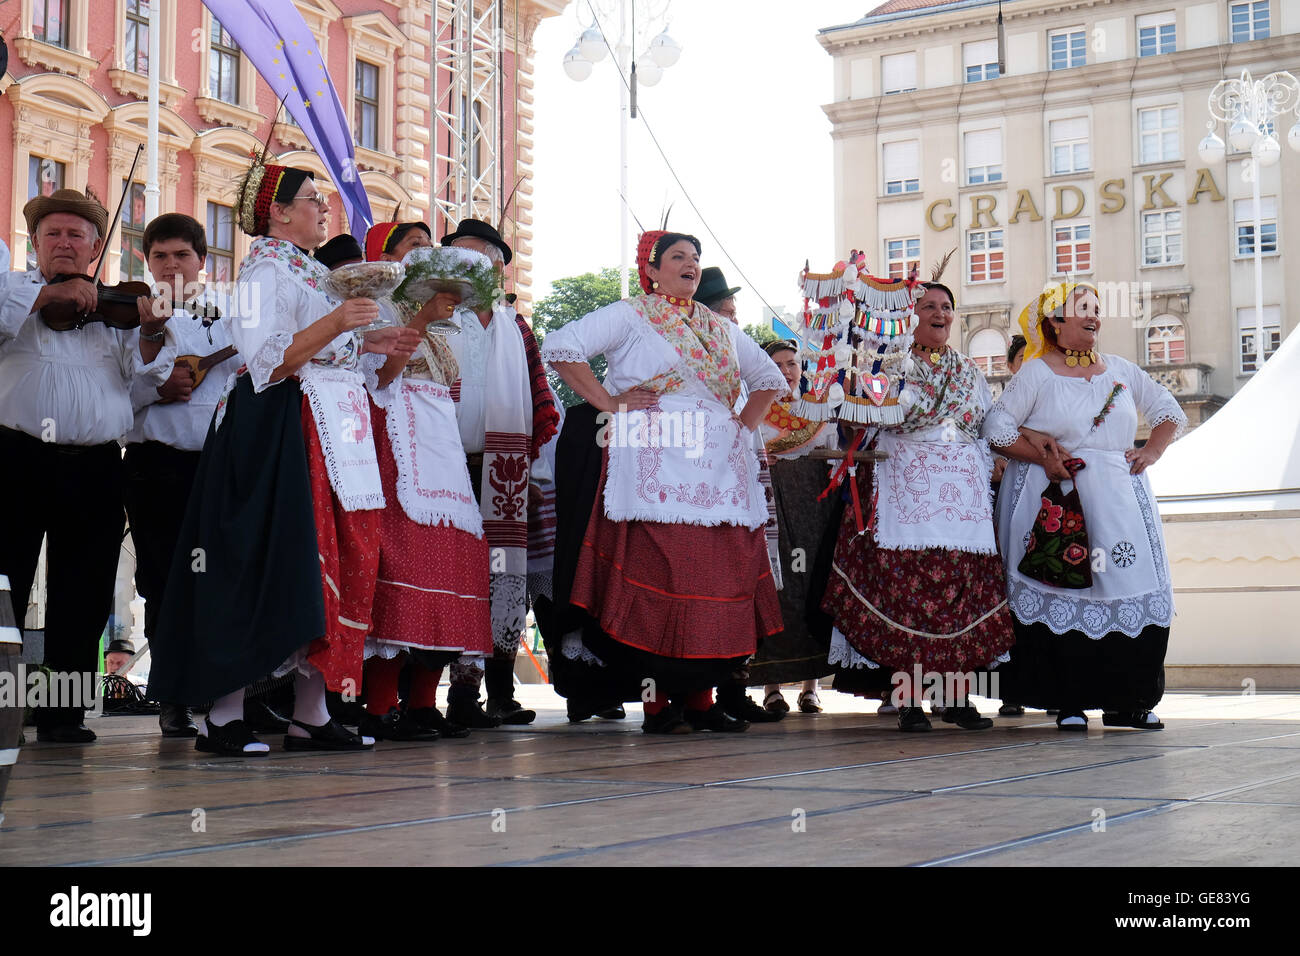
[679,591]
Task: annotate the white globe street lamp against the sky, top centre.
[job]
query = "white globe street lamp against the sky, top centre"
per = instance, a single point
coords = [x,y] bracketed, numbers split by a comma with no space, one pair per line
[661,54]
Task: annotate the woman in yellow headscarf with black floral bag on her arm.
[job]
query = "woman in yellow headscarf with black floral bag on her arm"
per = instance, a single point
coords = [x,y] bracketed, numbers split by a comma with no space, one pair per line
[1084,644]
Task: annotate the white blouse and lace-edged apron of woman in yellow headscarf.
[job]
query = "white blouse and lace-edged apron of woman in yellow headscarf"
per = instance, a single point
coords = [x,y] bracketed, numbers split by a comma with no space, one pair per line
[1130,573]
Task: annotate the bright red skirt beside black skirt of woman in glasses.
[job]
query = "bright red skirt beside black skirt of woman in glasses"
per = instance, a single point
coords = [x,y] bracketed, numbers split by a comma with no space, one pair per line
[349,548]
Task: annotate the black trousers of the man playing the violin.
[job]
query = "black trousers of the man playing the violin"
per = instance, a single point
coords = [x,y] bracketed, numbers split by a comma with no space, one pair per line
[72,495]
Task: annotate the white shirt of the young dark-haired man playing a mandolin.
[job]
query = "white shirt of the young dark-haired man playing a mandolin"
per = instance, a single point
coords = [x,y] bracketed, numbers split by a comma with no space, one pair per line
[185,425]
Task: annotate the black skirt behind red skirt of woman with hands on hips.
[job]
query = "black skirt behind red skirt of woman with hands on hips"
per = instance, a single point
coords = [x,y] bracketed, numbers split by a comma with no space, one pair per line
[578,477]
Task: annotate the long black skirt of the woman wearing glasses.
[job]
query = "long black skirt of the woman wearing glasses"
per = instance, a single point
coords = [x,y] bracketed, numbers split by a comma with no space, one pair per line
[245,589]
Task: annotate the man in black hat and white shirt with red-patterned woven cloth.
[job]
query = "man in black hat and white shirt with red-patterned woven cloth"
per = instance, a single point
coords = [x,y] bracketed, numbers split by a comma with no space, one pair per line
[506,416]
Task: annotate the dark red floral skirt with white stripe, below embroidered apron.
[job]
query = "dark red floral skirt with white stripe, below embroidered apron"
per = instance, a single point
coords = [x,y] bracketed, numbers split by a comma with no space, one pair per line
[942,609]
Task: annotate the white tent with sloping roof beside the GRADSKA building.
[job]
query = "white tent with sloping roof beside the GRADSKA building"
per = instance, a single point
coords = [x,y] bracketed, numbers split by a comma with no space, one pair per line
[1230,501]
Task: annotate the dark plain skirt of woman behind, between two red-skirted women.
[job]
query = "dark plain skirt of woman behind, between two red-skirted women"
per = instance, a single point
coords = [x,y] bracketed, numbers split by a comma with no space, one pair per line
[807,530]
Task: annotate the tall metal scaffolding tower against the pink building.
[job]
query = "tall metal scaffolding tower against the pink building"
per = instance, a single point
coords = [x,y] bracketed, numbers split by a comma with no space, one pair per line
[467,105]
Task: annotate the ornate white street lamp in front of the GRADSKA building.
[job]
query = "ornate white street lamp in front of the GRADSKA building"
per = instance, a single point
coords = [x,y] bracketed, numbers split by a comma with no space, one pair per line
[1249,107]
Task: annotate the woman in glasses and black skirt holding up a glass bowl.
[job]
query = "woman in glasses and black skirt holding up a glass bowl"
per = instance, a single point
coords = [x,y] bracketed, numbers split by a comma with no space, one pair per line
[278,557]
